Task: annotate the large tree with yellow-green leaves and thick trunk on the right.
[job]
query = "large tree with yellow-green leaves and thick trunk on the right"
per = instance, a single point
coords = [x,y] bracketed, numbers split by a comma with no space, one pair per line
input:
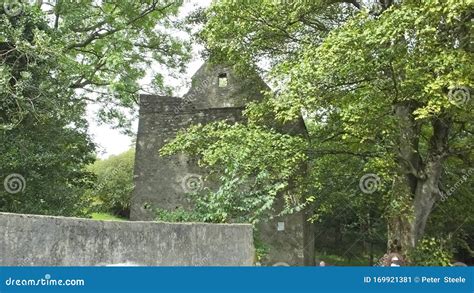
[390,85]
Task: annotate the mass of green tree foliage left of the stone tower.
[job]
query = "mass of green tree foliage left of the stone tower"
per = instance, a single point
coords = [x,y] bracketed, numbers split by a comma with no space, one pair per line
[55,59]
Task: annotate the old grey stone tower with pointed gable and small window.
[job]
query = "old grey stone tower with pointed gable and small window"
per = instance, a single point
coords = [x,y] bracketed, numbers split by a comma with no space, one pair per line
[217,93]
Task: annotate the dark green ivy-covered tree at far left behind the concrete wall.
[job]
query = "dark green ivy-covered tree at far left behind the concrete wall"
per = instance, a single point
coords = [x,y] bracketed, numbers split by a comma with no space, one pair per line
[43,133]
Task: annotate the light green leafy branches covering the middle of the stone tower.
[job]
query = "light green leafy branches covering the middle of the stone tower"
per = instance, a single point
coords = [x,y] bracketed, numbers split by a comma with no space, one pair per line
[265,165]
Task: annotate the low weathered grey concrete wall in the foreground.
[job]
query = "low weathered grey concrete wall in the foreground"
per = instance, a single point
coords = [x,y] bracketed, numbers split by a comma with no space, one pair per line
[29,240]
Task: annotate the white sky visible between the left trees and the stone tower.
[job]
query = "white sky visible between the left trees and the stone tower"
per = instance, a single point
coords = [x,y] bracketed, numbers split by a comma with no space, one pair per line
[110,141]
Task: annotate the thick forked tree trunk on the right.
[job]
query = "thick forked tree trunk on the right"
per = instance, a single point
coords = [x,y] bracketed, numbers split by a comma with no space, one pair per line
[415,187]
